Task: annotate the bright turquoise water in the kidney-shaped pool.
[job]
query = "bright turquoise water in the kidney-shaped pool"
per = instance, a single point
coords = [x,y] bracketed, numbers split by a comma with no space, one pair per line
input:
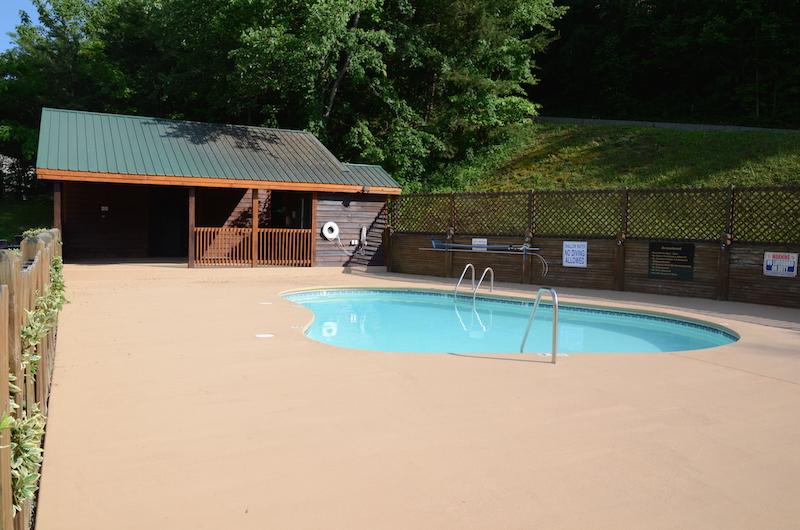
[426,321]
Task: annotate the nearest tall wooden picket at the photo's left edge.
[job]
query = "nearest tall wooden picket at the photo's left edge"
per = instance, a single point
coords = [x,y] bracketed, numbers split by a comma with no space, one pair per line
[6,512]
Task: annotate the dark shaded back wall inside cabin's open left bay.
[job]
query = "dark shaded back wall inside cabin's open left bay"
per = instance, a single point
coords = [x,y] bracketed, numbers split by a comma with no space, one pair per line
[123,233]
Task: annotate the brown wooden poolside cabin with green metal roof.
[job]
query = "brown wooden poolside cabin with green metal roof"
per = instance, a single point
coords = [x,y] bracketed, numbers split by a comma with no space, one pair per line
[217,194]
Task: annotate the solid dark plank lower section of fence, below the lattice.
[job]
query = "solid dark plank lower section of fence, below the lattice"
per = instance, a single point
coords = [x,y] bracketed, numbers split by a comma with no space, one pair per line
[745,283]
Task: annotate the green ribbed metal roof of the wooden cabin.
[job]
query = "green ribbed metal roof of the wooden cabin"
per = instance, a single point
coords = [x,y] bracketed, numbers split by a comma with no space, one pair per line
[133,145]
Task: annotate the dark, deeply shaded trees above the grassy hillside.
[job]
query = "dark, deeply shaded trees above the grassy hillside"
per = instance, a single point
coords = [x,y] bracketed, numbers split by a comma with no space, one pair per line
[725,61]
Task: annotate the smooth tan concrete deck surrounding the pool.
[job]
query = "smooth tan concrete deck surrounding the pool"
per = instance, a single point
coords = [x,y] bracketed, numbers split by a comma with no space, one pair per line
[168,412]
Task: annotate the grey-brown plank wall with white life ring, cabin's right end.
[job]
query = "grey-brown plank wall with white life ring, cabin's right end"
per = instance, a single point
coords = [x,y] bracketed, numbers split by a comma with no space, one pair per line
[350,212]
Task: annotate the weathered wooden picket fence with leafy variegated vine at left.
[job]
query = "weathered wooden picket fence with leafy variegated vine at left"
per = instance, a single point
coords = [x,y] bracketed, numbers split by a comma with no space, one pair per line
[22,278]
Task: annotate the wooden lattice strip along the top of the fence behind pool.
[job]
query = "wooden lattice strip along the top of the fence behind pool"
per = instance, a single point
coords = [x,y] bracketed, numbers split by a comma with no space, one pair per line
[754,215]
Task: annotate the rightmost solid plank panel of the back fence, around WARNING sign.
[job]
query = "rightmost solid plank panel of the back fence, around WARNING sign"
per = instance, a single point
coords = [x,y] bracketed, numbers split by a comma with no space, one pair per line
[748,284]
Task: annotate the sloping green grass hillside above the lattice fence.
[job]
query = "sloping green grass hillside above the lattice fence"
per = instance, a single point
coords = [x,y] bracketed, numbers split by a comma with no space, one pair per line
[590,156]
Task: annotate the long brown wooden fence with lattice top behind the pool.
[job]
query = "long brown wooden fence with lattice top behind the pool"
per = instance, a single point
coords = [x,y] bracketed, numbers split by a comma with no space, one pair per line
[727,232]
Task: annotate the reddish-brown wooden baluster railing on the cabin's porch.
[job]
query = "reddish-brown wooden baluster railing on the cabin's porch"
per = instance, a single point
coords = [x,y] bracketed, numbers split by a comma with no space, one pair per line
[237,247]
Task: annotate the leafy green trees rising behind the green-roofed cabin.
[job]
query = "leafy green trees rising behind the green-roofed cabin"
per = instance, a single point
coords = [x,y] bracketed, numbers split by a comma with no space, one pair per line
[408,84]
